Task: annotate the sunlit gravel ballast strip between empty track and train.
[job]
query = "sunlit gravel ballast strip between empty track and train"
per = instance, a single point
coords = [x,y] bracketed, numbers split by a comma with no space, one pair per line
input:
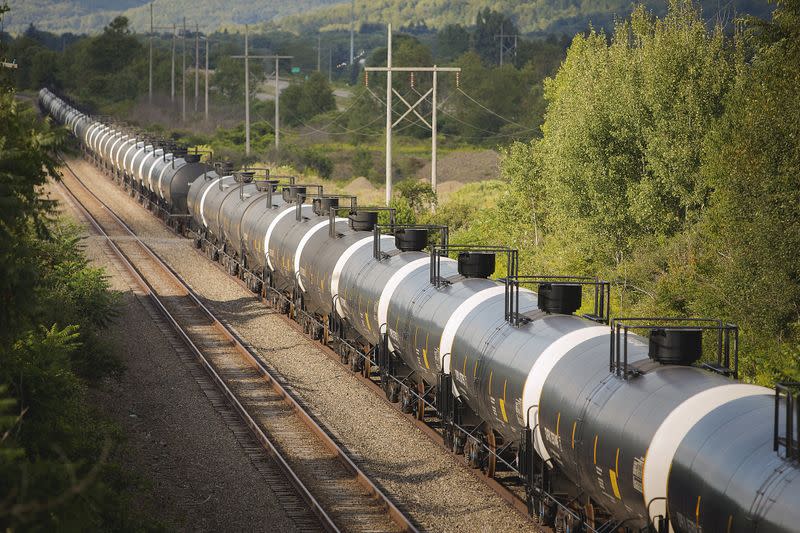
[439,493]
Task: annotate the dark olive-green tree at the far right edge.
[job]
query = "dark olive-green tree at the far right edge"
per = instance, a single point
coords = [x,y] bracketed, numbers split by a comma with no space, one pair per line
[753,222]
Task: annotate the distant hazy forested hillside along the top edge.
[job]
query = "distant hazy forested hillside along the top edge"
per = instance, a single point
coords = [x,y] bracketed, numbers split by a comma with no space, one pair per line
[531,16]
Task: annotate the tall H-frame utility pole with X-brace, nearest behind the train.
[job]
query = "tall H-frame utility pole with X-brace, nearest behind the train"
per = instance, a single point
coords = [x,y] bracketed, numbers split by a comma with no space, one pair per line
[433,92]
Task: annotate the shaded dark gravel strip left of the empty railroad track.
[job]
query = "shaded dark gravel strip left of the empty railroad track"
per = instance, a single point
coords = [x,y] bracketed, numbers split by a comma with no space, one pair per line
[191,471]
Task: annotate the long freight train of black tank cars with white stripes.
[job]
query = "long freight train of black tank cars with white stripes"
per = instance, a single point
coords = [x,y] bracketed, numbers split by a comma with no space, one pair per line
[630,424]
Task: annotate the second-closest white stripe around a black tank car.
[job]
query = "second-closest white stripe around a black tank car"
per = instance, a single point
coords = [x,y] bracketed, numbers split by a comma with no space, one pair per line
[540,371]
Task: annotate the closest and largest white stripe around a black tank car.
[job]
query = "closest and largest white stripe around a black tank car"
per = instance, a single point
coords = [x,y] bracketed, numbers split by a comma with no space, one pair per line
[672,431]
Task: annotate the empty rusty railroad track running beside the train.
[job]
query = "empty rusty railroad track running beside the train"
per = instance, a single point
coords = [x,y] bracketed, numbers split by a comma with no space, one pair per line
[340,496]
